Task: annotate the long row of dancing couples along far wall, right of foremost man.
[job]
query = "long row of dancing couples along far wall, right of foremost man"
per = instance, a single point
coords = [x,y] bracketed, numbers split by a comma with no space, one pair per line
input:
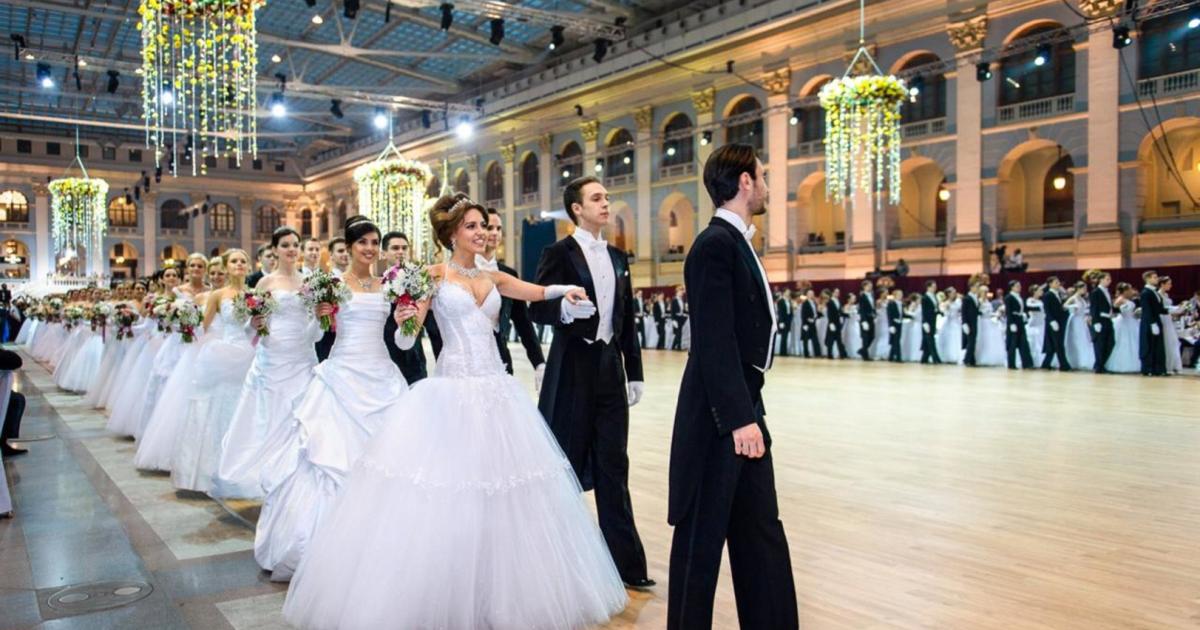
[1090,325]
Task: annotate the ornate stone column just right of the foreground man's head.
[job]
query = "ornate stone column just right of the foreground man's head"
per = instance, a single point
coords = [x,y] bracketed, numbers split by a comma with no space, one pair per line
[779,86]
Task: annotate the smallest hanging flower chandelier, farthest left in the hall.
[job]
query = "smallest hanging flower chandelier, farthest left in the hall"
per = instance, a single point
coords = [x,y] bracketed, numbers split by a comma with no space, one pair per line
[79,214]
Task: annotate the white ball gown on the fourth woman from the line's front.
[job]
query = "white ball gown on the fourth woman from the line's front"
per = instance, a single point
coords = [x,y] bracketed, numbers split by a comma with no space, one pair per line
[220,369]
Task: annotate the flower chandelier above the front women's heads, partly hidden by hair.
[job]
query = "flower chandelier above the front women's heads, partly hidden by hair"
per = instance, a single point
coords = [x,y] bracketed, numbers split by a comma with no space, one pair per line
[392,193]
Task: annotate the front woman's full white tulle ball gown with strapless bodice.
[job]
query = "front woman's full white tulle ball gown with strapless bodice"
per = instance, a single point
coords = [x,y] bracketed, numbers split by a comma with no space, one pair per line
[464,514]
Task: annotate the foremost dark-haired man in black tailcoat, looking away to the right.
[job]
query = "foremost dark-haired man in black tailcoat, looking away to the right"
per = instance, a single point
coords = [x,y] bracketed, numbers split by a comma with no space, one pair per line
[723,481]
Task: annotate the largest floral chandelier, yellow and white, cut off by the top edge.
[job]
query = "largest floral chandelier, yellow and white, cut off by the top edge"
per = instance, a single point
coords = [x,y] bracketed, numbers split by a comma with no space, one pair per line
[200,62]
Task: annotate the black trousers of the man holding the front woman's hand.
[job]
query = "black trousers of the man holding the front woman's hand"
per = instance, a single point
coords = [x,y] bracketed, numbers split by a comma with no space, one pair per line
[598,446]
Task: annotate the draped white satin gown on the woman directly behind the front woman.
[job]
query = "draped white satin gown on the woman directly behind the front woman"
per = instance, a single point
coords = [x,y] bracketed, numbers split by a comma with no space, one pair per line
[352,395]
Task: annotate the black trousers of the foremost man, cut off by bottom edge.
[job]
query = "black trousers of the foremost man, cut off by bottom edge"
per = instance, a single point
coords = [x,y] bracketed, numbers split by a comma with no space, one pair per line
[737,506]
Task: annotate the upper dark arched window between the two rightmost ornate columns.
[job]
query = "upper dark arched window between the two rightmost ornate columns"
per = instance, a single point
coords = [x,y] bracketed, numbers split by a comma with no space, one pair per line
[1023,80]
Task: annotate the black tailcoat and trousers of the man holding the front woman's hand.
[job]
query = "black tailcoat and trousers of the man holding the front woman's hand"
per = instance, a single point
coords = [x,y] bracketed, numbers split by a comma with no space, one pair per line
[584,395]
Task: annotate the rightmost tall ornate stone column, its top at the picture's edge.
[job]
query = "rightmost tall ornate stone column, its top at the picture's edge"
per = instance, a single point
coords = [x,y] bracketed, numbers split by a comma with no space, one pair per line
[1101,244]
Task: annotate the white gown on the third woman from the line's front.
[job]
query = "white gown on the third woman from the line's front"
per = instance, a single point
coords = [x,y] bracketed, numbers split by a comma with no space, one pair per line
[275,383]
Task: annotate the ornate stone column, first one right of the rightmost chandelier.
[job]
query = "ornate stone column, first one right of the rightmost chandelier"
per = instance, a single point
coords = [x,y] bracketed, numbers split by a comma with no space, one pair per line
[965,254]
